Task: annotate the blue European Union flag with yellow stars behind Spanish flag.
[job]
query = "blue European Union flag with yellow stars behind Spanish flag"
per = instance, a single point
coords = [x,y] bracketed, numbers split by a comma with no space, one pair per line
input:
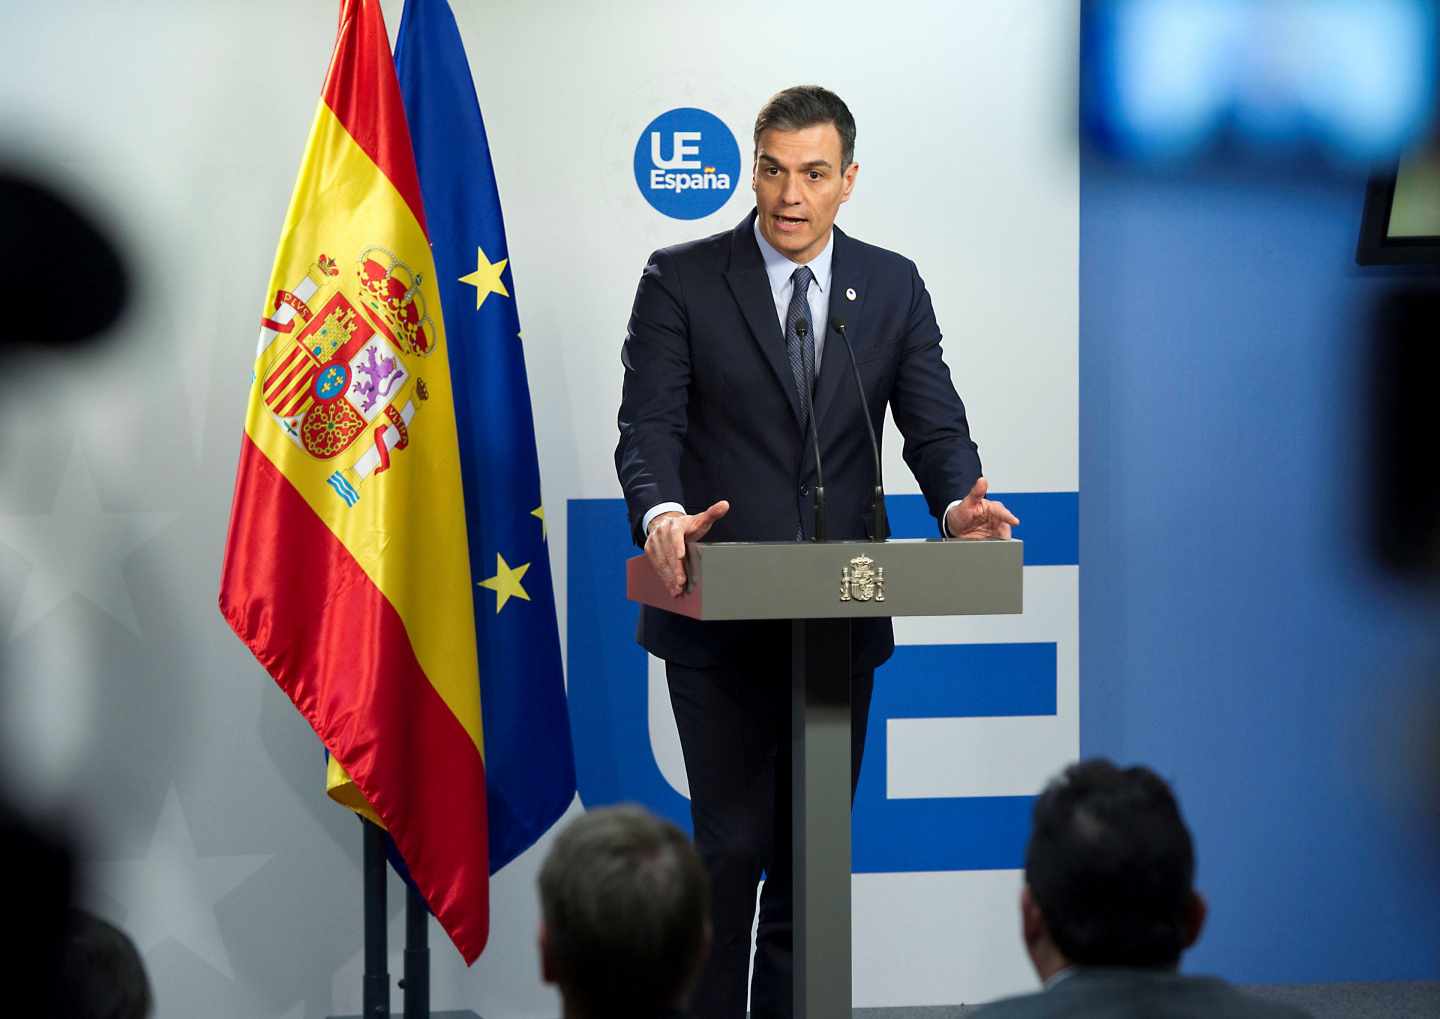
[529,758]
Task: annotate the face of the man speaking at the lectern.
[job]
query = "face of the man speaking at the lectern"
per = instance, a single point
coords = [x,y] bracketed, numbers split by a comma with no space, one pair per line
[800,188]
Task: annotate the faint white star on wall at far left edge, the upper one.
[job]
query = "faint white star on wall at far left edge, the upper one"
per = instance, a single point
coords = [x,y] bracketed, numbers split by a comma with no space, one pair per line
[78,548]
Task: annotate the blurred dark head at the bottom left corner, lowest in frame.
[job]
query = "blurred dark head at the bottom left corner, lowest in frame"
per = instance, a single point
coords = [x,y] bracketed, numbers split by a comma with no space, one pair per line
[102,972]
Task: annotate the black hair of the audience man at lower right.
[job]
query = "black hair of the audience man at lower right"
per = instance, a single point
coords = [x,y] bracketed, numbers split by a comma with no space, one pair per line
[1112,867]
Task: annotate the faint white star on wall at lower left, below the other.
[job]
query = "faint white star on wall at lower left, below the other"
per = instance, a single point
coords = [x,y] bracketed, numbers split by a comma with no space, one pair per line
[171,893]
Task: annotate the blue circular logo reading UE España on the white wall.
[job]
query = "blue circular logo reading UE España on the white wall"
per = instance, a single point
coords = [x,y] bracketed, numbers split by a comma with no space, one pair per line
[688,163]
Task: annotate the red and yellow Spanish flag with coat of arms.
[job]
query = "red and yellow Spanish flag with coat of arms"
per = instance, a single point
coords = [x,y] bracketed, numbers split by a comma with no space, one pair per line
[348,562]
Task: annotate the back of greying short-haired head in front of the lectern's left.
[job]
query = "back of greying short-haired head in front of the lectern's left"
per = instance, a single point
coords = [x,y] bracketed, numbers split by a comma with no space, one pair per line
[627,912]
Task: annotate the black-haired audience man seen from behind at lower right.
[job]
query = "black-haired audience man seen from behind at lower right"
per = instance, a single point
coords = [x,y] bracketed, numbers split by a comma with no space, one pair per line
[1110,906]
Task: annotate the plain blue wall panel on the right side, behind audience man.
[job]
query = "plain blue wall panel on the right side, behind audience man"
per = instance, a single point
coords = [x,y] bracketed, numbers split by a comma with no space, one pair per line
[1235,634]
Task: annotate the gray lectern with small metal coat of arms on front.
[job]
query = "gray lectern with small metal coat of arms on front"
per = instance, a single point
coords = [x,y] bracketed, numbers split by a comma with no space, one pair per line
[822,587]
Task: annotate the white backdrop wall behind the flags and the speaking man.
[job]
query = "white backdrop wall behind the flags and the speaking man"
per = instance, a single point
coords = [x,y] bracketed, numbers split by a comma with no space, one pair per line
[127,702]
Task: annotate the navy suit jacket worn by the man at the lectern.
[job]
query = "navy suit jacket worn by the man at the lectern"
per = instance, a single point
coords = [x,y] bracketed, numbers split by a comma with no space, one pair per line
[709,412]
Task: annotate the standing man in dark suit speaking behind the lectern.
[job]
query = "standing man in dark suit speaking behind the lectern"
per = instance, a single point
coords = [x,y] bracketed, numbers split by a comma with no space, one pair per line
[734,343]
